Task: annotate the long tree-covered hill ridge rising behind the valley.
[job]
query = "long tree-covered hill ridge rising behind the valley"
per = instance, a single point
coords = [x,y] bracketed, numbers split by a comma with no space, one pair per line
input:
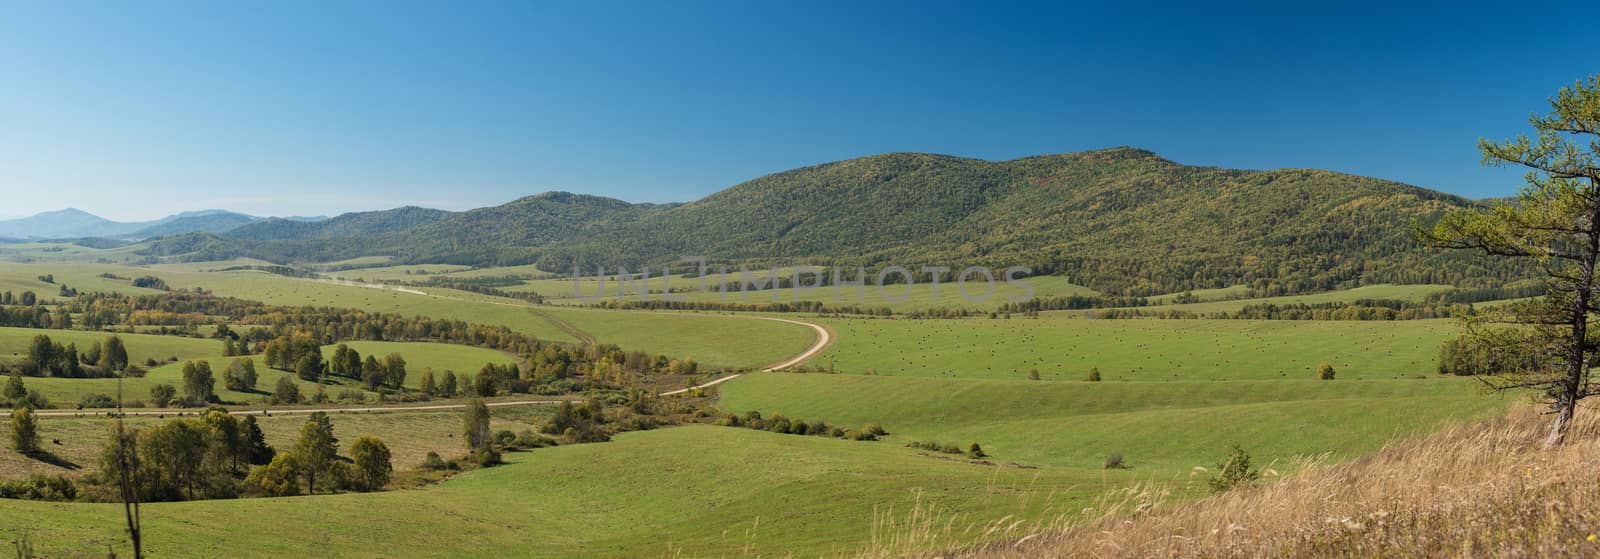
[1119,220]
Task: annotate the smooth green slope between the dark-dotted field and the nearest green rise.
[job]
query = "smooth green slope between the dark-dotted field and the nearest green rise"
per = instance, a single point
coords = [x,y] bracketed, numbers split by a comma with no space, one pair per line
[1159,427]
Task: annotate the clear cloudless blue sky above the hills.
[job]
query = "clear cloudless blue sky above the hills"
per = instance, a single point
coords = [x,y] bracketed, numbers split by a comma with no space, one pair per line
[137,110]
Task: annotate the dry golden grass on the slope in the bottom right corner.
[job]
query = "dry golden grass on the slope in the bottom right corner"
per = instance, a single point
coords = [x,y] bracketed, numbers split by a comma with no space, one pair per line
[1474,491]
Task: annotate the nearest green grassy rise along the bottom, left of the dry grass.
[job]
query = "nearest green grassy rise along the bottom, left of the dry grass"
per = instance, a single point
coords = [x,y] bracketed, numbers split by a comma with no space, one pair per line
[730,493]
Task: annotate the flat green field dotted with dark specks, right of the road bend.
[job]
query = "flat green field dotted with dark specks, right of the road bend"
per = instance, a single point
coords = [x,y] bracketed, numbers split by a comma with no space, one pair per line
[1135,350]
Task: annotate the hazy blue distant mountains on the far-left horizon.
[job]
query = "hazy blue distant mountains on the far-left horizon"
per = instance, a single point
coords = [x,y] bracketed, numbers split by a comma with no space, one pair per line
[74,223]
